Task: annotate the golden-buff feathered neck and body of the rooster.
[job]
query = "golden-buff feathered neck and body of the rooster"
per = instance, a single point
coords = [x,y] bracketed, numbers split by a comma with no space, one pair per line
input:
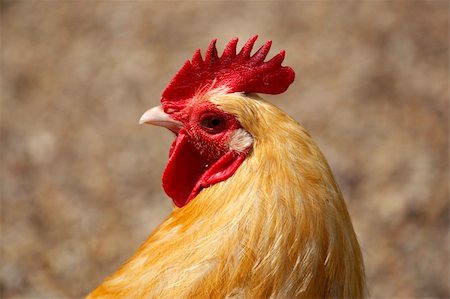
[277,227]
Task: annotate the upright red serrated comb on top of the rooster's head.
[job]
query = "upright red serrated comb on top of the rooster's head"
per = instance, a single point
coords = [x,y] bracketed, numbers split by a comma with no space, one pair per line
[236,72]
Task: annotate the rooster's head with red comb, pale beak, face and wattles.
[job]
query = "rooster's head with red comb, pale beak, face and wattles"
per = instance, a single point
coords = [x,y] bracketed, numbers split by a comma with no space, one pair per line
[210,143]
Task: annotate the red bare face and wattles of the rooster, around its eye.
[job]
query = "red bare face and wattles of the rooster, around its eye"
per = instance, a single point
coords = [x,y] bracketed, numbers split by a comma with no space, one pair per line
[200,155]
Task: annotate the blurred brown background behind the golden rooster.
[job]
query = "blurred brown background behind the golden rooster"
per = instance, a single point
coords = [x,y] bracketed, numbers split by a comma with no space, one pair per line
[80,179]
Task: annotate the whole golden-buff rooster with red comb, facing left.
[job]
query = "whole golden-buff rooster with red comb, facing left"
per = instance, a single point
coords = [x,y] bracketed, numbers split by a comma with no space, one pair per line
[258,212]
